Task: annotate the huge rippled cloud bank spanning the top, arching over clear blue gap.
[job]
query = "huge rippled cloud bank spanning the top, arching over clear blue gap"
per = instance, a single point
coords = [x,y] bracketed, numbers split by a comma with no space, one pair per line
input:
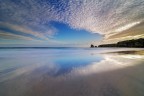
[106,17]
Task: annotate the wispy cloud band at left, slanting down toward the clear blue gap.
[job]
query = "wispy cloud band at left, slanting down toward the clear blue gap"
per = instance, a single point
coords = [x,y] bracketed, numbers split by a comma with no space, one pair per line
[23,31]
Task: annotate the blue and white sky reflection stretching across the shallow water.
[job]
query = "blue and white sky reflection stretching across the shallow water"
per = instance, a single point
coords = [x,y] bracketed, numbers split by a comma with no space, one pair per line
[68,65]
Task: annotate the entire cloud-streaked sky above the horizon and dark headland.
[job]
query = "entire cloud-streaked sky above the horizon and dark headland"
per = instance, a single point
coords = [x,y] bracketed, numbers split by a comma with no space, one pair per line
[69,23]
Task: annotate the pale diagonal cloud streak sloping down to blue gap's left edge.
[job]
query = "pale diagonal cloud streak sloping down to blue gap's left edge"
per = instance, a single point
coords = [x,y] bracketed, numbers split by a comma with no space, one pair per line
[24,29]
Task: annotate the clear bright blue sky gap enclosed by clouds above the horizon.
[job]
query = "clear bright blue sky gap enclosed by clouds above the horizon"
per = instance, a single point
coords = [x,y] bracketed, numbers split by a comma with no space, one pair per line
[69,35]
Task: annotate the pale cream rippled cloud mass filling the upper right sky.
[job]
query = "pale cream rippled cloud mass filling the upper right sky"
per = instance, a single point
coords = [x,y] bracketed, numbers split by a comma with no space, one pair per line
[103,16]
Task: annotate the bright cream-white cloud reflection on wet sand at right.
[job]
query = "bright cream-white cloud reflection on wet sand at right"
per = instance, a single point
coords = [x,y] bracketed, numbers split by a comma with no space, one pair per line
[110,62]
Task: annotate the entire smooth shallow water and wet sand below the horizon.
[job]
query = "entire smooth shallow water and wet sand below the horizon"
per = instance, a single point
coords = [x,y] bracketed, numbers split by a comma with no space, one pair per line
[71,72]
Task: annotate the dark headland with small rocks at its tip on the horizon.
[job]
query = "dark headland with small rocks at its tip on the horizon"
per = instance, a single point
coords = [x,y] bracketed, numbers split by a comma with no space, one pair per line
[134,43]
